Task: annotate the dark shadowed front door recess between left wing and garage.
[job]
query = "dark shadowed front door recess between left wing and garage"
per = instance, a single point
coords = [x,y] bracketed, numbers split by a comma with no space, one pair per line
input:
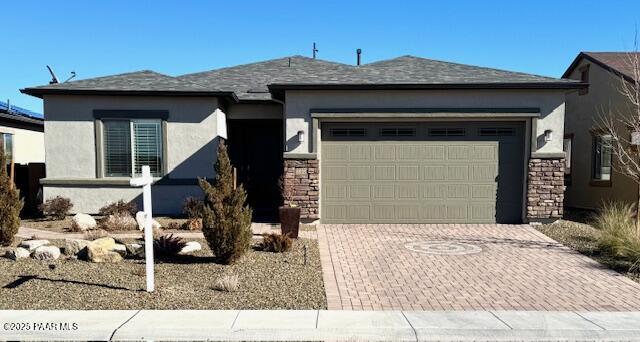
[255,149]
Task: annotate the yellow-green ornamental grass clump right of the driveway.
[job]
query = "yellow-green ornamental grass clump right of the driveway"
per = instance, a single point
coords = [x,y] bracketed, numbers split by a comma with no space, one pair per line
[620,237]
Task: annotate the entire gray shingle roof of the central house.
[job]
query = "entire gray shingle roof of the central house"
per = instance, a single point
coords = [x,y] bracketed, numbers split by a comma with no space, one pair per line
[255,80]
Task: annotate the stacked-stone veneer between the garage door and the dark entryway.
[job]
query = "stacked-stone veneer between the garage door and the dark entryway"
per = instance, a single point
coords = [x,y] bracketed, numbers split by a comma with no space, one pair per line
[302,178]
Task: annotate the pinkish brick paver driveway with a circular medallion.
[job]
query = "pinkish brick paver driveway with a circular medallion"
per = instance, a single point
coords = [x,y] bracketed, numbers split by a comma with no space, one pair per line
[369,267]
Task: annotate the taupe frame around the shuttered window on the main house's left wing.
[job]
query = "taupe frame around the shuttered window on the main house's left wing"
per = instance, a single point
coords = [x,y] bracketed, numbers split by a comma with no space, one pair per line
[100,146]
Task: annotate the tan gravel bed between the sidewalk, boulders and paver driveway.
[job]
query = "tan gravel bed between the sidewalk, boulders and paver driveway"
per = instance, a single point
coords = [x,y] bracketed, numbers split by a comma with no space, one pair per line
[266,281]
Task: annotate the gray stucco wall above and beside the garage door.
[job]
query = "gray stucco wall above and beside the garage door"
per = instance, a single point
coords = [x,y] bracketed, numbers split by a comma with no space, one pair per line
[550,102]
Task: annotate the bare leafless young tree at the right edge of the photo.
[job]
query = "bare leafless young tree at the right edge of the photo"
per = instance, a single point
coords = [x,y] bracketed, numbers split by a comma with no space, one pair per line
[622,122]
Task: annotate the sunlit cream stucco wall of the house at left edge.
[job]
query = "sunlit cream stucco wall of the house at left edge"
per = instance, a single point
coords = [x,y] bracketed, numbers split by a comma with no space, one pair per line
[28,145]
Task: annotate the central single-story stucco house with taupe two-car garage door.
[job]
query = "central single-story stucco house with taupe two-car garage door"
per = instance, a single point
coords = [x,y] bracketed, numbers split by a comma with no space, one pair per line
[397,141]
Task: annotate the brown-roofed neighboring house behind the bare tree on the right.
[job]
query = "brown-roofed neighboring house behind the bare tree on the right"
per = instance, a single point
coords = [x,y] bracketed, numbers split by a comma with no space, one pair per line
[591,180]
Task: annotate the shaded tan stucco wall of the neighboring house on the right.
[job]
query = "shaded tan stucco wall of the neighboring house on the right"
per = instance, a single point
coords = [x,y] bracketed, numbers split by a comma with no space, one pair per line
[583,114]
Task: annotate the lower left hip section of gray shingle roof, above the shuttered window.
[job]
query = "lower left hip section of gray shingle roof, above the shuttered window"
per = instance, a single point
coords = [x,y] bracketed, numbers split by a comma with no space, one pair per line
[139,81]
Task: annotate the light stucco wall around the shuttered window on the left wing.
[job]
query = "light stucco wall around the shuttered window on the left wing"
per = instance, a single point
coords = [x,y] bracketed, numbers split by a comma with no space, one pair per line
[71,146]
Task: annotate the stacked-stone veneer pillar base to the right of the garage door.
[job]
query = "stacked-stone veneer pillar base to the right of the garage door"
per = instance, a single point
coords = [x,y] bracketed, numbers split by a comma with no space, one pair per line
[545,189]
